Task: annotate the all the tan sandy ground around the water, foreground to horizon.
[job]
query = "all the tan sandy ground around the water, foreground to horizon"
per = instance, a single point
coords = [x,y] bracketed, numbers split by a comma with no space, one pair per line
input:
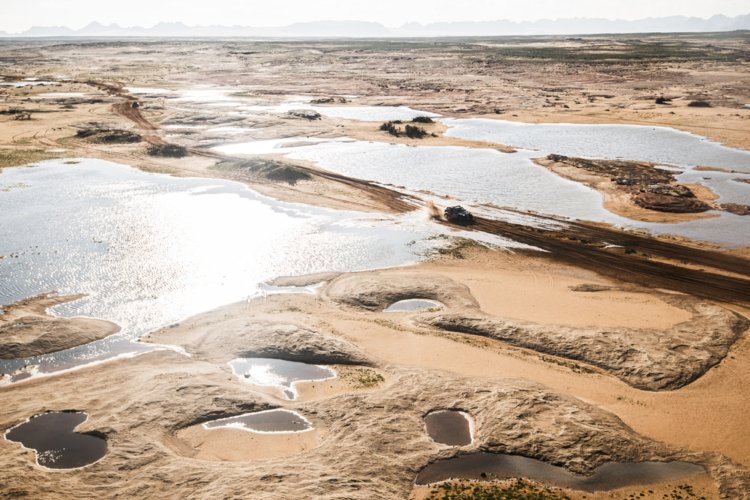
[578,356]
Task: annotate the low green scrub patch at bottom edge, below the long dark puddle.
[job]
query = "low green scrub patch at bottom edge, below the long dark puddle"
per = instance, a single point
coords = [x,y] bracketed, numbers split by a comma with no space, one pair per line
[515,489]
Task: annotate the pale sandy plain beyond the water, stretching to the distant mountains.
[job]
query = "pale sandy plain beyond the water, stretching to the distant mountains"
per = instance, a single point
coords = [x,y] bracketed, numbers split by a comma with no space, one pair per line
[596,81]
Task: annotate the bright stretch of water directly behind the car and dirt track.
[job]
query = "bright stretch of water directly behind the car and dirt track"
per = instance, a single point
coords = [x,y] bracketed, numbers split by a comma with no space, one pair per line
[488,176]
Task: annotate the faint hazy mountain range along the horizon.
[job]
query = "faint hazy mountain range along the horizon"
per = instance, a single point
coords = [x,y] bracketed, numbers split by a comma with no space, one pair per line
[365,29]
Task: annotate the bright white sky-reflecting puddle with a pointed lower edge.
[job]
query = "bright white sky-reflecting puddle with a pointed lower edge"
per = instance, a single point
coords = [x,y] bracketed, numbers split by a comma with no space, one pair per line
[279,373]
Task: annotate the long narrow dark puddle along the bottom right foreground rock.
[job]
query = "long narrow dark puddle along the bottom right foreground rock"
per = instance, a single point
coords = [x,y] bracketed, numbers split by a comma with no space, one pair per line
[489,466]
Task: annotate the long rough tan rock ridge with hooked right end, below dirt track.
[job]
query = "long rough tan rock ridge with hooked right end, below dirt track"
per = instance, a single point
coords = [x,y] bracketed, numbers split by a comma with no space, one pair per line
[647,359]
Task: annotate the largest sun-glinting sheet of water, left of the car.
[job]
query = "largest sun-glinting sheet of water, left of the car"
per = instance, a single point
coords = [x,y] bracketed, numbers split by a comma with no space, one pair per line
[150,250]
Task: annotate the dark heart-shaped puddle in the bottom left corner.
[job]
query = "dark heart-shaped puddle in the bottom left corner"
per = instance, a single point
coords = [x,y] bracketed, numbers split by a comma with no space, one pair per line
[57,446]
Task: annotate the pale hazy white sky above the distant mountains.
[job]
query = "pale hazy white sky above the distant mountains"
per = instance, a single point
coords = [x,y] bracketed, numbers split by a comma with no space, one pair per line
[18,15]
